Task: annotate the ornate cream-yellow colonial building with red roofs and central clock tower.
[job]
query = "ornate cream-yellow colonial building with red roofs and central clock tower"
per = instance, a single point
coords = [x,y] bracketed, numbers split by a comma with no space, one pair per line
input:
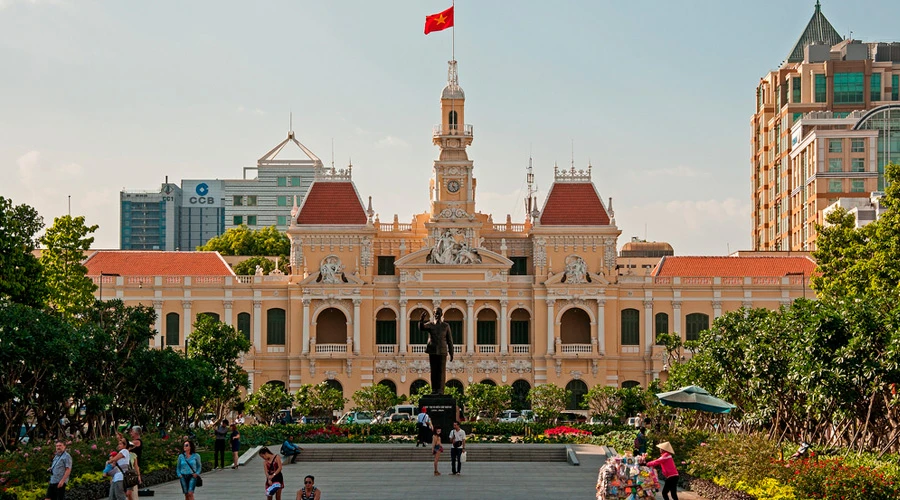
[533,302]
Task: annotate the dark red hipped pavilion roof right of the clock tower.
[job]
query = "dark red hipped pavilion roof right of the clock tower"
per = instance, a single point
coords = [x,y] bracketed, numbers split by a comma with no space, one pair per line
[574,204]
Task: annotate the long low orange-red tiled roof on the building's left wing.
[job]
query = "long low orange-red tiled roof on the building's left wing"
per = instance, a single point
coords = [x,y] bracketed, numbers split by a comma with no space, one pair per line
[140,263]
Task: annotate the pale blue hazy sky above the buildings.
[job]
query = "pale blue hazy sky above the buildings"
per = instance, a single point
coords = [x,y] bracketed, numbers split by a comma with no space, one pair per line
[101,96]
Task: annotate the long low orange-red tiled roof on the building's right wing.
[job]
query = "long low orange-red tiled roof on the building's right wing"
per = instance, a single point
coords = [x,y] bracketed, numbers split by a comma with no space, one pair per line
[734,266]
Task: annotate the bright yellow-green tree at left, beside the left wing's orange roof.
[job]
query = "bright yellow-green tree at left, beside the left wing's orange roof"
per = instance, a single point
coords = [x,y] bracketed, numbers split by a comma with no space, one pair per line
[65,243]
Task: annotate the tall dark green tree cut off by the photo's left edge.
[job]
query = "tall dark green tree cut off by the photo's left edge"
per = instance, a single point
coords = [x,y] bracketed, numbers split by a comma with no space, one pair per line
[21,276]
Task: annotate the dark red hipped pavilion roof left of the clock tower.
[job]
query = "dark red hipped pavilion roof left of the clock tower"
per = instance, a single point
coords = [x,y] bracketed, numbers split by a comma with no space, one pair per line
[331,203]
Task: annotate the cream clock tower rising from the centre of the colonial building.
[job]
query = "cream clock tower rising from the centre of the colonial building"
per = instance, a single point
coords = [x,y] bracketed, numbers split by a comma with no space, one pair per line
[452,187]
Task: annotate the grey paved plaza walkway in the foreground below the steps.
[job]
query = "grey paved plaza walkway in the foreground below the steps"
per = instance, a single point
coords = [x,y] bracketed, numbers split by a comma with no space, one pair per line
[368,480]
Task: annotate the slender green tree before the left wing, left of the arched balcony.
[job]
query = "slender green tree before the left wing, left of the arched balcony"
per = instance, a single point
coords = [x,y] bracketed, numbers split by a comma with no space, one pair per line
[221,346]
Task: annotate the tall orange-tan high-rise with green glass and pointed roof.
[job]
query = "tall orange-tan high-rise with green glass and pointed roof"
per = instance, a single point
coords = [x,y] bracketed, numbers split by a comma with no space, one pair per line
[826,122]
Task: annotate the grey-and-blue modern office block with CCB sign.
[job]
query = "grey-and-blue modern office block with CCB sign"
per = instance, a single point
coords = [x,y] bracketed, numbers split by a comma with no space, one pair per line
[183,218]
